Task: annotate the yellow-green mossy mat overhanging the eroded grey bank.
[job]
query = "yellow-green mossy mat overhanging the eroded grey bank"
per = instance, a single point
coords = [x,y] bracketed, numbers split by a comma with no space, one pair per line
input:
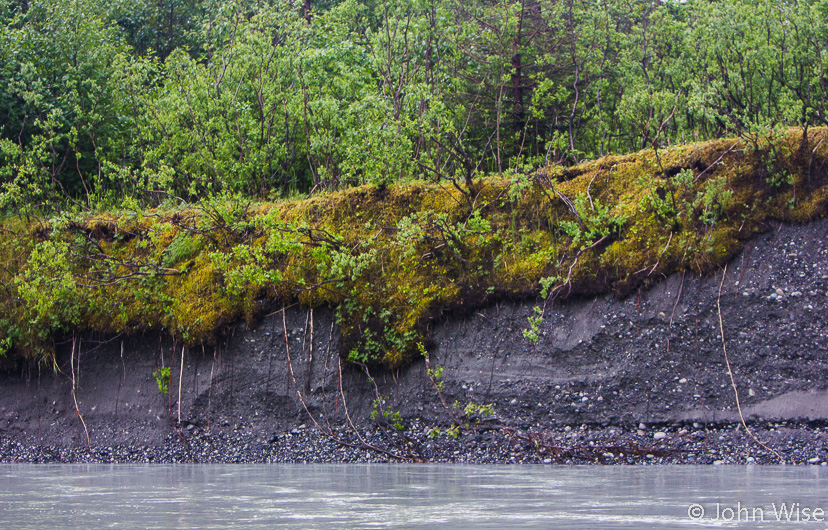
[392,259]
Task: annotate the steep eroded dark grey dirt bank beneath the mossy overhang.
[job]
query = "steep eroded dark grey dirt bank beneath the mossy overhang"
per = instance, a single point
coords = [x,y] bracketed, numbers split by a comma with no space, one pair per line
[607,364]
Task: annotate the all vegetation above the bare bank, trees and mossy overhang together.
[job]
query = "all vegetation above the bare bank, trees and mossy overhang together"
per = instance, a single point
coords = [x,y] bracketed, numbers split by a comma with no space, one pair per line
[153,155]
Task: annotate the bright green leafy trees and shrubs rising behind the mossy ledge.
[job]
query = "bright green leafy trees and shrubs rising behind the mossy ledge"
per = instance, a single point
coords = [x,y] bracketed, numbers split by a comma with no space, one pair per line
[182,99]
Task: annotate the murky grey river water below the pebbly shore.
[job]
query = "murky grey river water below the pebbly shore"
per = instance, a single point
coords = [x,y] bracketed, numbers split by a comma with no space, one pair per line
[410,496]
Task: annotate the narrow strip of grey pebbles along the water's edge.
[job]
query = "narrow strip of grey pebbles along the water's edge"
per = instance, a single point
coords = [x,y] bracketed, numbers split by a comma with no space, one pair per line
[794,443]
